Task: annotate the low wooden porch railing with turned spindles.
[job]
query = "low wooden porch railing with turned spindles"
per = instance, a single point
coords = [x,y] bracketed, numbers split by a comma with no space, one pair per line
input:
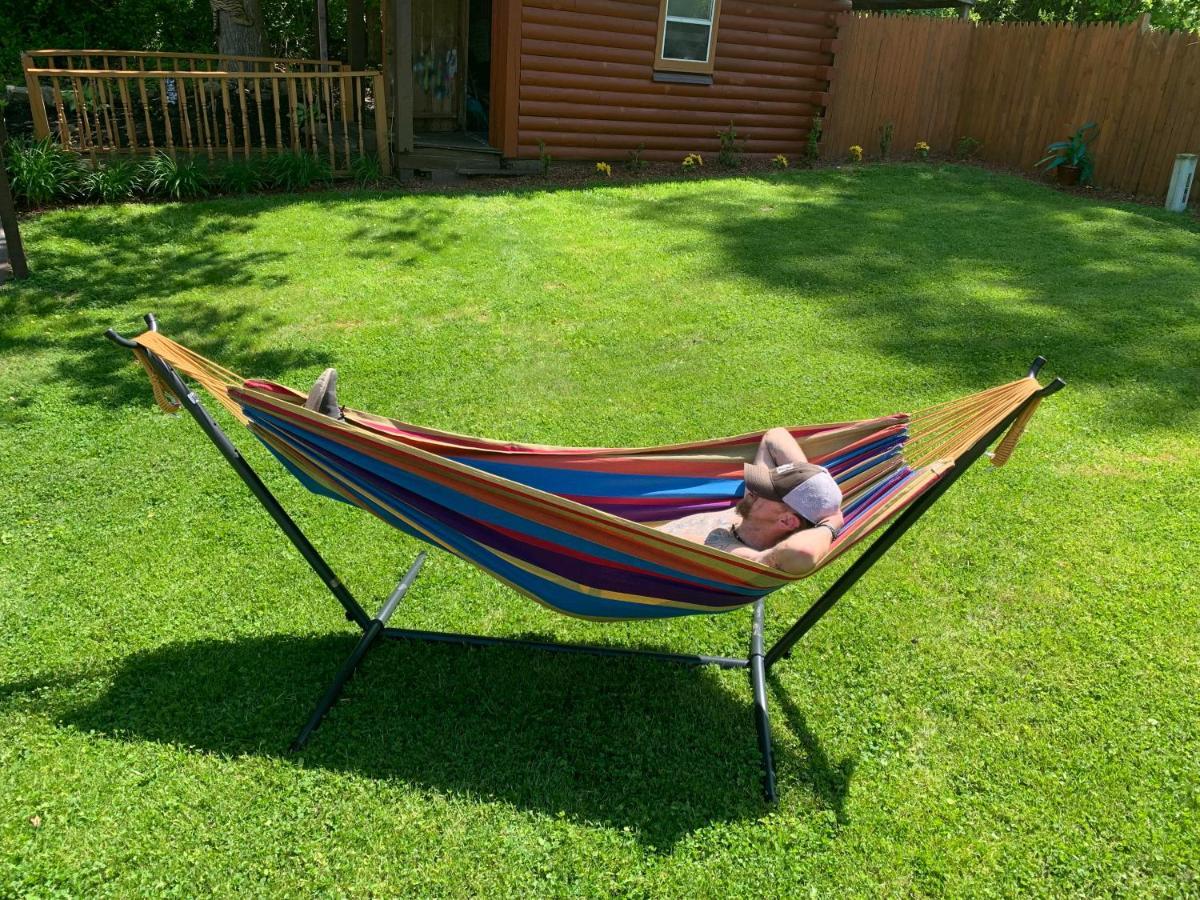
[187,106]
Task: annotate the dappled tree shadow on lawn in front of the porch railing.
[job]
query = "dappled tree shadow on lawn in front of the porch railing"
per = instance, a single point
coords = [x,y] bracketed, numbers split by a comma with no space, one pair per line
[93,265]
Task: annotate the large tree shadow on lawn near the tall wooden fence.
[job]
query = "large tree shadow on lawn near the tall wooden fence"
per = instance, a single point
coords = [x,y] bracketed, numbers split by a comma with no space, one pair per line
[915,257]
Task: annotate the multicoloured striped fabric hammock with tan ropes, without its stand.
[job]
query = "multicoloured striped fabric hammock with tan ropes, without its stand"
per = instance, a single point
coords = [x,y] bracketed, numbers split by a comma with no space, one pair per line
[573,527]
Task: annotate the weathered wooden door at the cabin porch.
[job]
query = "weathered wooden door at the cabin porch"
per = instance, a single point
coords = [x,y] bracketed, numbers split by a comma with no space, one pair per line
[440,64]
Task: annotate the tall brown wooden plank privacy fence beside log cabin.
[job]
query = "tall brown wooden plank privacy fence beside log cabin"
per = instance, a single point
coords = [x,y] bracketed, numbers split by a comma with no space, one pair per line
[1017,88]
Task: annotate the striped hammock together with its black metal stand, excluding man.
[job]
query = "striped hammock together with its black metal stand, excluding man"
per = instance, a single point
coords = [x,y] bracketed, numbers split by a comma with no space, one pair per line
[569,527]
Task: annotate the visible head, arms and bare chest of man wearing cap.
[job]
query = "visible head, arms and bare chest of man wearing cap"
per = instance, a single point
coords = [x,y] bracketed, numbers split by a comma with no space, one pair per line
[788,519]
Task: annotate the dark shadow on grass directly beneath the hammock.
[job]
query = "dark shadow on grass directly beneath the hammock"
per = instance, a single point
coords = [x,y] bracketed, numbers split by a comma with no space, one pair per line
[662,749]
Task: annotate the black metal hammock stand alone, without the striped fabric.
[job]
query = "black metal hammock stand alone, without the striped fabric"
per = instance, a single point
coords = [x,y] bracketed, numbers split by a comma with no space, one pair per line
[758,662]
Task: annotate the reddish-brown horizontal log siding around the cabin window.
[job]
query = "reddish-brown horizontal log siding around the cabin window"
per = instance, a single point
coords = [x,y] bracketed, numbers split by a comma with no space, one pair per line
[587,83]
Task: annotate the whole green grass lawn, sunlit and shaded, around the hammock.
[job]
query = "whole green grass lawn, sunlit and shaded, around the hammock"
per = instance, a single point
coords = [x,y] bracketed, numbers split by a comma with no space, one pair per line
[1007,705]
